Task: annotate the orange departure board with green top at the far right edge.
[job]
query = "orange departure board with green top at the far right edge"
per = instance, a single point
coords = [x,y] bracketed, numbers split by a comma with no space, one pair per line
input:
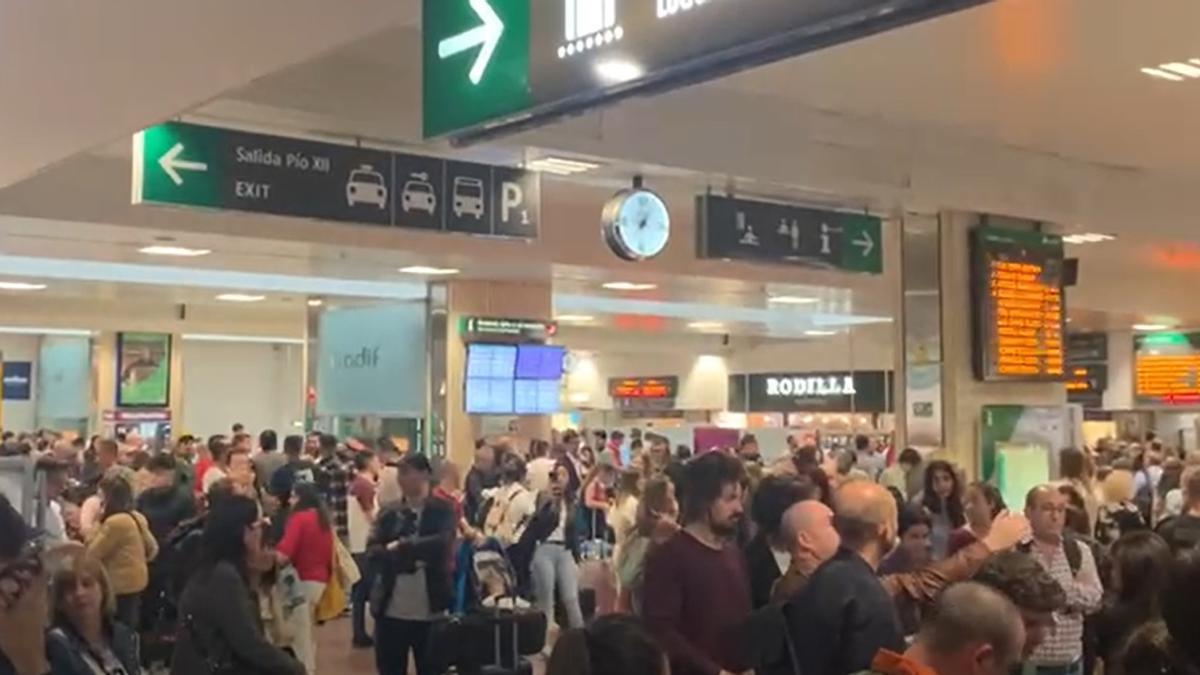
[1167,369]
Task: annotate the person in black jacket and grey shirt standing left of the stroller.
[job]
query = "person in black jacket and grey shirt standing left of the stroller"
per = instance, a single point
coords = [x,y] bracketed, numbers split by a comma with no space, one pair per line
[410,548]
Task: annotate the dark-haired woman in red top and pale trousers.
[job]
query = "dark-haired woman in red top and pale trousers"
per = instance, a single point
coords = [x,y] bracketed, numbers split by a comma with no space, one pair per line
[309,546]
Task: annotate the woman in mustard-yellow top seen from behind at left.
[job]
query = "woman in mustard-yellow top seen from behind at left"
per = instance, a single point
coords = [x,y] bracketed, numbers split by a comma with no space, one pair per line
[124,546]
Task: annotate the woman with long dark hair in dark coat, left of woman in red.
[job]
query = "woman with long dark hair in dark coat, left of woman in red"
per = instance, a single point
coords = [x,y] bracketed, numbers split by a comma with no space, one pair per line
[223,629]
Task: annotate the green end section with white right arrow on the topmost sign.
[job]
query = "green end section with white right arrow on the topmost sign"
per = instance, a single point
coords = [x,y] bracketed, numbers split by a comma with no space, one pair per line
[476,62]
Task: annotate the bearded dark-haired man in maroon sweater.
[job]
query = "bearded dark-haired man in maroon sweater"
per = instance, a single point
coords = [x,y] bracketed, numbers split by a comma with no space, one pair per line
[698,595]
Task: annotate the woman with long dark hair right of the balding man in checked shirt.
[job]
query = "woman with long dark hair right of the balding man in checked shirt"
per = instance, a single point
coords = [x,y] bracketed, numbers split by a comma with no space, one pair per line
[1138,577]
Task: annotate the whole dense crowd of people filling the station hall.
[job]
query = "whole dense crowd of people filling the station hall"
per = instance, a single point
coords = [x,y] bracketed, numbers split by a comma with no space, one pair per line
[614,554]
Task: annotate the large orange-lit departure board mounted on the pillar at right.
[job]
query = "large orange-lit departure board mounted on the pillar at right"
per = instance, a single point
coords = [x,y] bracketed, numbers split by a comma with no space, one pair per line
[1018,306]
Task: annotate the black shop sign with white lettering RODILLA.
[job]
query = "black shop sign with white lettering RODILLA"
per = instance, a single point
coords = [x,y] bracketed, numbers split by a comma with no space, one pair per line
[865,391]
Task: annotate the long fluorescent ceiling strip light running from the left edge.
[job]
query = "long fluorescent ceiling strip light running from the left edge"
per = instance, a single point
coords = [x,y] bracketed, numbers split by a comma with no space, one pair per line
[215,279]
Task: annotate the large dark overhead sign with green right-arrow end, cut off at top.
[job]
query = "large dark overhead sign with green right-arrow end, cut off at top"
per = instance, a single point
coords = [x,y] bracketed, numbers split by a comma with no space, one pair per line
[493,67]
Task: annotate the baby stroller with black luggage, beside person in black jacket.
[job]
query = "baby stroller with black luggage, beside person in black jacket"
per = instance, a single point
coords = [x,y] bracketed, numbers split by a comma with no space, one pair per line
[494,630]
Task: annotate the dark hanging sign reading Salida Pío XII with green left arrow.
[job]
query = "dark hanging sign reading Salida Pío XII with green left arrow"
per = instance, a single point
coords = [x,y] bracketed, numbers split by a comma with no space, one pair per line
[219,169]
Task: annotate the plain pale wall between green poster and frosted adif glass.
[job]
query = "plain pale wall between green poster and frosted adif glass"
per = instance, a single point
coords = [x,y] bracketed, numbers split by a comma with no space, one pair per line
[259,385]
